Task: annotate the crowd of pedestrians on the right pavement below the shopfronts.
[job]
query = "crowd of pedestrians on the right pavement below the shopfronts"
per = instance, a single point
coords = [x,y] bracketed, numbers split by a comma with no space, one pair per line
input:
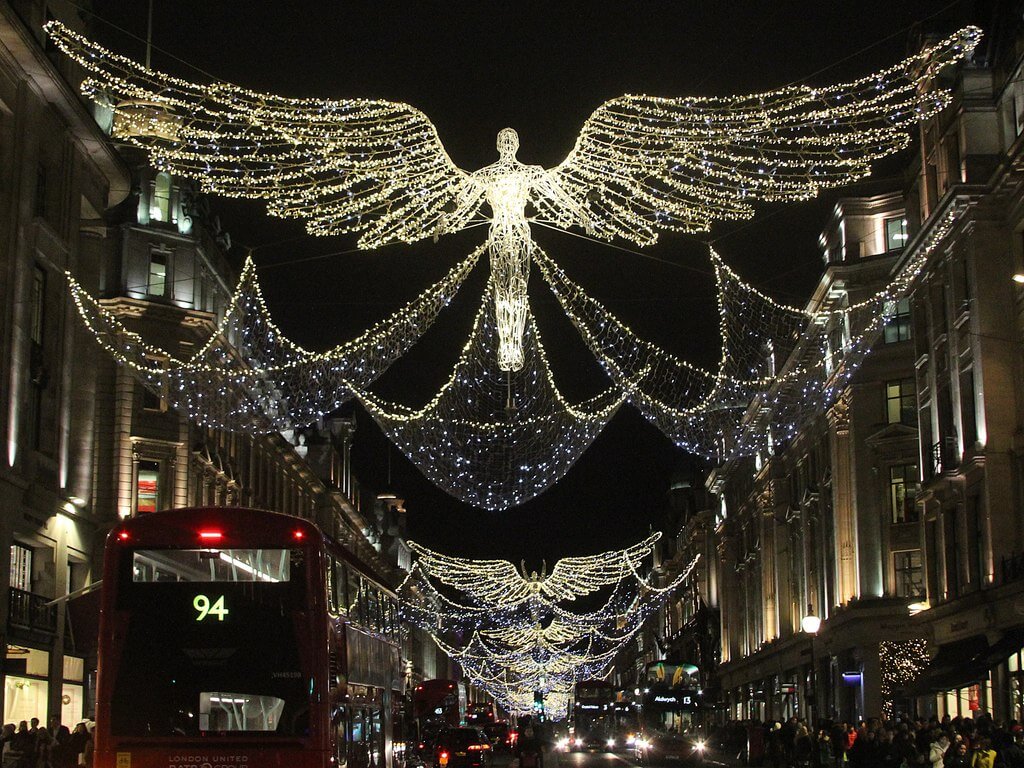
[950,743]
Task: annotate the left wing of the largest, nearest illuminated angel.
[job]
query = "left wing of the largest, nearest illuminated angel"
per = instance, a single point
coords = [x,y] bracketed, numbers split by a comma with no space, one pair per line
[372,167]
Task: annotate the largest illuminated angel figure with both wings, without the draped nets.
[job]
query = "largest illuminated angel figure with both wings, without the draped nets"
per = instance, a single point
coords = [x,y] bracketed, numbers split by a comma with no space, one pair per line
[642,164]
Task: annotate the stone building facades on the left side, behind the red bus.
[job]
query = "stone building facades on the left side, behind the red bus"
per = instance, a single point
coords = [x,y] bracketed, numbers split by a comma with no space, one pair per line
[86,444]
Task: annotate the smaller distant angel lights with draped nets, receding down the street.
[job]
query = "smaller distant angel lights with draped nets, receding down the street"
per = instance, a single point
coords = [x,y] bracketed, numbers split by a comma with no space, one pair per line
[516,634]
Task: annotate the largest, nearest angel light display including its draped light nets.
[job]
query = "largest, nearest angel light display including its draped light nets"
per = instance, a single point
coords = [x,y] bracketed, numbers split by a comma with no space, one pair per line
[499,432]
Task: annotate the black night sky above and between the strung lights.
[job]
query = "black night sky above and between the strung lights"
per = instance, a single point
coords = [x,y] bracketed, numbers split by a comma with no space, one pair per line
[541,68]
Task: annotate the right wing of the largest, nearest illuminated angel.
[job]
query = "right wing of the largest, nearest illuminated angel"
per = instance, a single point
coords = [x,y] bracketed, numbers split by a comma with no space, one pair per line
[644,164]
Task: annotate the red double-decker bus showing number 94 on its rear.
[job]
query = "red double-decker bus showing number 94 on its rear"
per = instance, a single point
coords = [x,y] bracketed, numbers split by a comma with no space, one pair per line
[245,638]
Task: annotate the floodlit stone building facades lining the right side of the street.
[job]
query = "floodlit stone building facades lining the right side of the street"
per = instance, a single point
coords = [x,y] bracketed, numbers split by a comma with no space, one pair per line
[897,517]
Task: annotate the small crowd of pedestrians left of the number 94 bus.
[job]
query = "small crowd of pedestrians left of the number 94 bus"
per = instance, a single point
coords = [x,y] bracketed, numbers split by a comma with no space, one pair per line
[29,746]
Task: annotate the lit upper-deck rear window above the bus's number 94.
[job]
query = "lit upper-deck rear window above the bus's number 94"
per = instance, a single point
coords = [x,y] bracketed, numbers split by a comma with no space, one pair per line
[211,566]
